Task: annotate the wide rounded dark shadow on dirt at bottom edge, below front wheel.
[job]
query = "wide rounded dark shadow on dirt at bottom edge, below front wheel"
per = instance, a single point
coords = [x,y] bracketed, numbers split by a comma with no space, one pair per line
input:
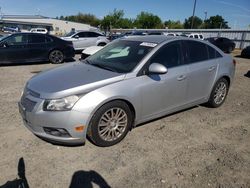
[86,179]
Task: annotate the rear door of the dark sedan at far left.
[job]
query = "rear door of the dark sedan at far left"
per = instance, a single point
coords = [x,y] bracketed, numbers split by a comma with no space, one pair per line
[37,47]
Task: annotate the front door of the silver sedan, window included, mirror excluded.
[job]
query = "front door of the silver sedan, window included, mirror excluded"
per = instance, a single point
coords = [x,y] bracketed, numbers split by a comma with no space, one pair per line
[161,94]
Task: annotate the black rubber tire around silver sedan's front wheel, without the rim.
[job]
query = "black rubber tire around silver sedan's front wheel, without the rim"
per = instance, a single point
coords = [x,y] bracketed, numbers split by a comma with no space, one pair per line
[93,126]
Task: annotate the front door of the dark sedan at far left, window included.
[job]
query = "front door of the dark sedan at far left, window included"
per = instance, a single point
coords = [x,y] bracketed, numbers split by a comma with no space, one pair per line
[14,49]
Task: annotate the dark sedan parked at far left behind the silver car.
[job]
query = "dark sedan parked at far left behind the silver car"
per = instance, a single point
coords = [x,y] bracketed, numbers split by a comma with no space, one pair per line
[34,47]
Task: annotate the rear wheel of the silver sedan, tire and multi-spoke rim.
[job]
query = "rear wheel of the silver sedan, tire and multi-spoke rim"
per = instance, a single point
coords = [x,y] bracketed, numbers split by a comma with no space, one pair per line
[219,93]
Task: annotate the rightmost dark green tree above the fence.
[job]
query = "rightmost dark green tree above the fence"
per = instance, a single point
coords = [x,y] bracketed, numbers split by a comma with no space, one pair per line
[215,22]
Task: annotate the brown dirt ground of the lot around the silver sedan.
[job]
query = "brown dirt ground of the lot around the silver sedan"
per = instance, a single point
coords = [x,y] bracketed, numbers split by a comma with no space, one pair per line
[200,147]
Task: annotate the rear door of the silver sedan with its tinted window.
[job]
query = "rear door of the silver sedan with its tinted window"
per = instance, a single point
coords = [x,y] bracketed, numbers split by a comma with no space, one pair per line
[201,70]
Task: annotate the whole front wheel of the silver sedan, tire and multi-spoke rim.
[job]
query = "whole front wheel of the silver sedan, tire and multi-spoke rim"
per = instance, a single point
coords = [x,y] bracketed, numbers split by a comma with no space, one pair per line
[110,124]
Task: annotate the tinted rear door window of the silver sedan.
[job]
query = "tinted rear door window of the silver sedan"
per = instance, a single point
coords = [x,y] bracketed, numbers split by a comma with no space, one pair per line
[197,51]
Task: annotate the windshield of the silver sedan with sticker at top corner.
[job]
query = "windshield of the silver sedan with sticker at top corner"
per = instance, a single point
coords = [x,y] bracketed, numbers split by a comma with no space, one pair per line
[121,56]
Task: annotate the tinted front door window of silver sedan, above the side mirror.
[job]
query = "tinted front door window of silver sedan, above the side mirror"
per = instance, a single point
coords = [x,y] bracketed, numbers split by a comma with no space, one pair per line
[169,55]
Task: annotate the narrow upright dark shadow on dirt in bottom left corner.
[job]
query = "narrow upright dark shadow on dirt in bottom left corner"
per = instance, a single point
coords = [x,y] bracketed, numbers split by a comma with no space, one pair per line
[20,182]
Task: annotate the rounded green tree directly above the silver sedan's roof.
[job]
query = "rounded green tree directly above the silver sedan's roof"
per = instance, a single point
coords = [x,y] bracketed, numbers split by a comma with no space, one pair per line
[146,20]
